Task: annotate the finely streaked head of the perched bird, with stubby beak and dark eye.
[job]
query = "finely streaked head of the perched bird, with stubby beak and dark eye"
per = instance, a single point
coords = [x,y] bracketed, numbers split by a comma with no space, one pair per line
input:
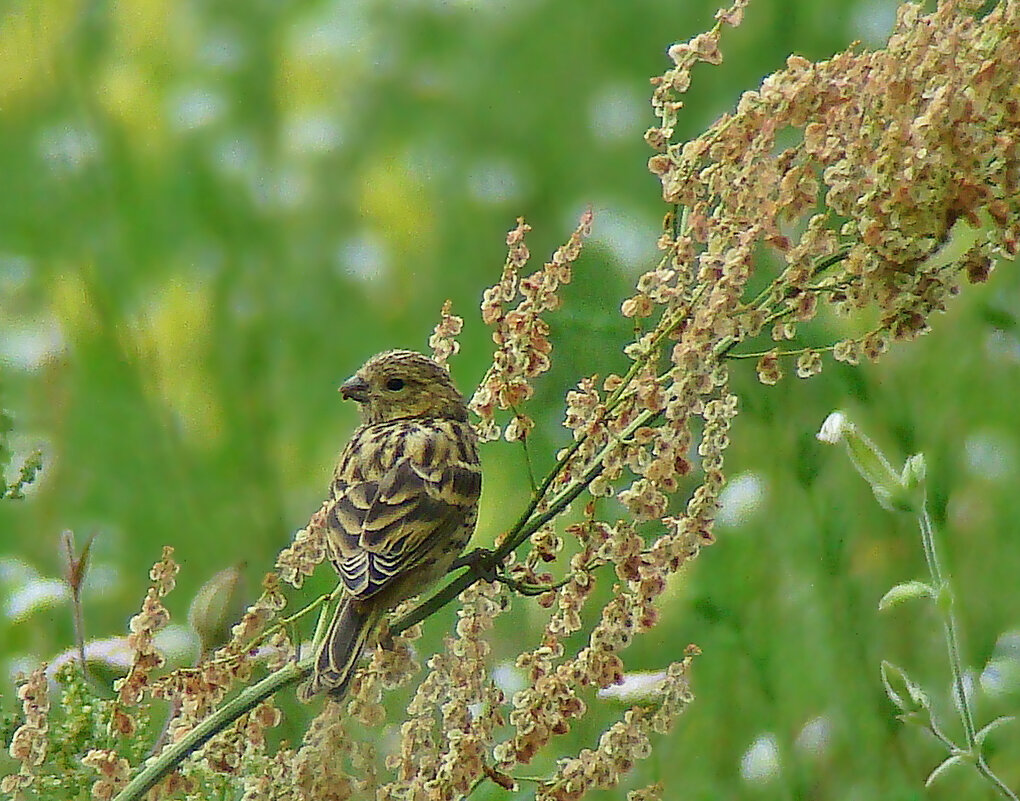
[399,384]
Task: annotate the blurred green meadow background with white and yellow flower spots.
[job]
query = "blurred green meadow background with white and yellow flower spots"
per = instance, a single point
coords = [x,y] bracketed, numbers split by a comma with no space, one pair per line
[213,214]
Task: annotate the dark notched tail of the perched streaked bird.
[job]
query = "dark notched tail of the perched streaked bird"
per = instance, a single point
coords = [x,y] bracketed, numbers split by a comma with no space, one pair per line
[338,656]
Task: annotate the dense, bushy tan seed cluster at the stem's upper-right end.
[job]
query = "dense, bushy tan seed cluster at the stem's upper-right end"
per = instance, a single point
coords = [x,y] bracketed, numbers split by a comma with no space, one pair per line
[885,153]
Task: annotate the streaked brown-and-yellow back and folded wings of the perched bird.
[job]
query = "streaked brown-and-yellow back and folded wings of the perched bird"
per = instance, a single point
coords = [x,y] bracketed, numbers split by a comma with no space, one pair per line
[405,496]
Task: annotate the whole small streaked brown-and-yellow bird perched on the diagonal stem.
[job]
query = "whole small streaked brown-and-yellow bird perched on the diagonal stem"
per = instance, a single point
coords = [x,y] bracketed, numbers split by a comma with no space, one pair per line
[403,502]
